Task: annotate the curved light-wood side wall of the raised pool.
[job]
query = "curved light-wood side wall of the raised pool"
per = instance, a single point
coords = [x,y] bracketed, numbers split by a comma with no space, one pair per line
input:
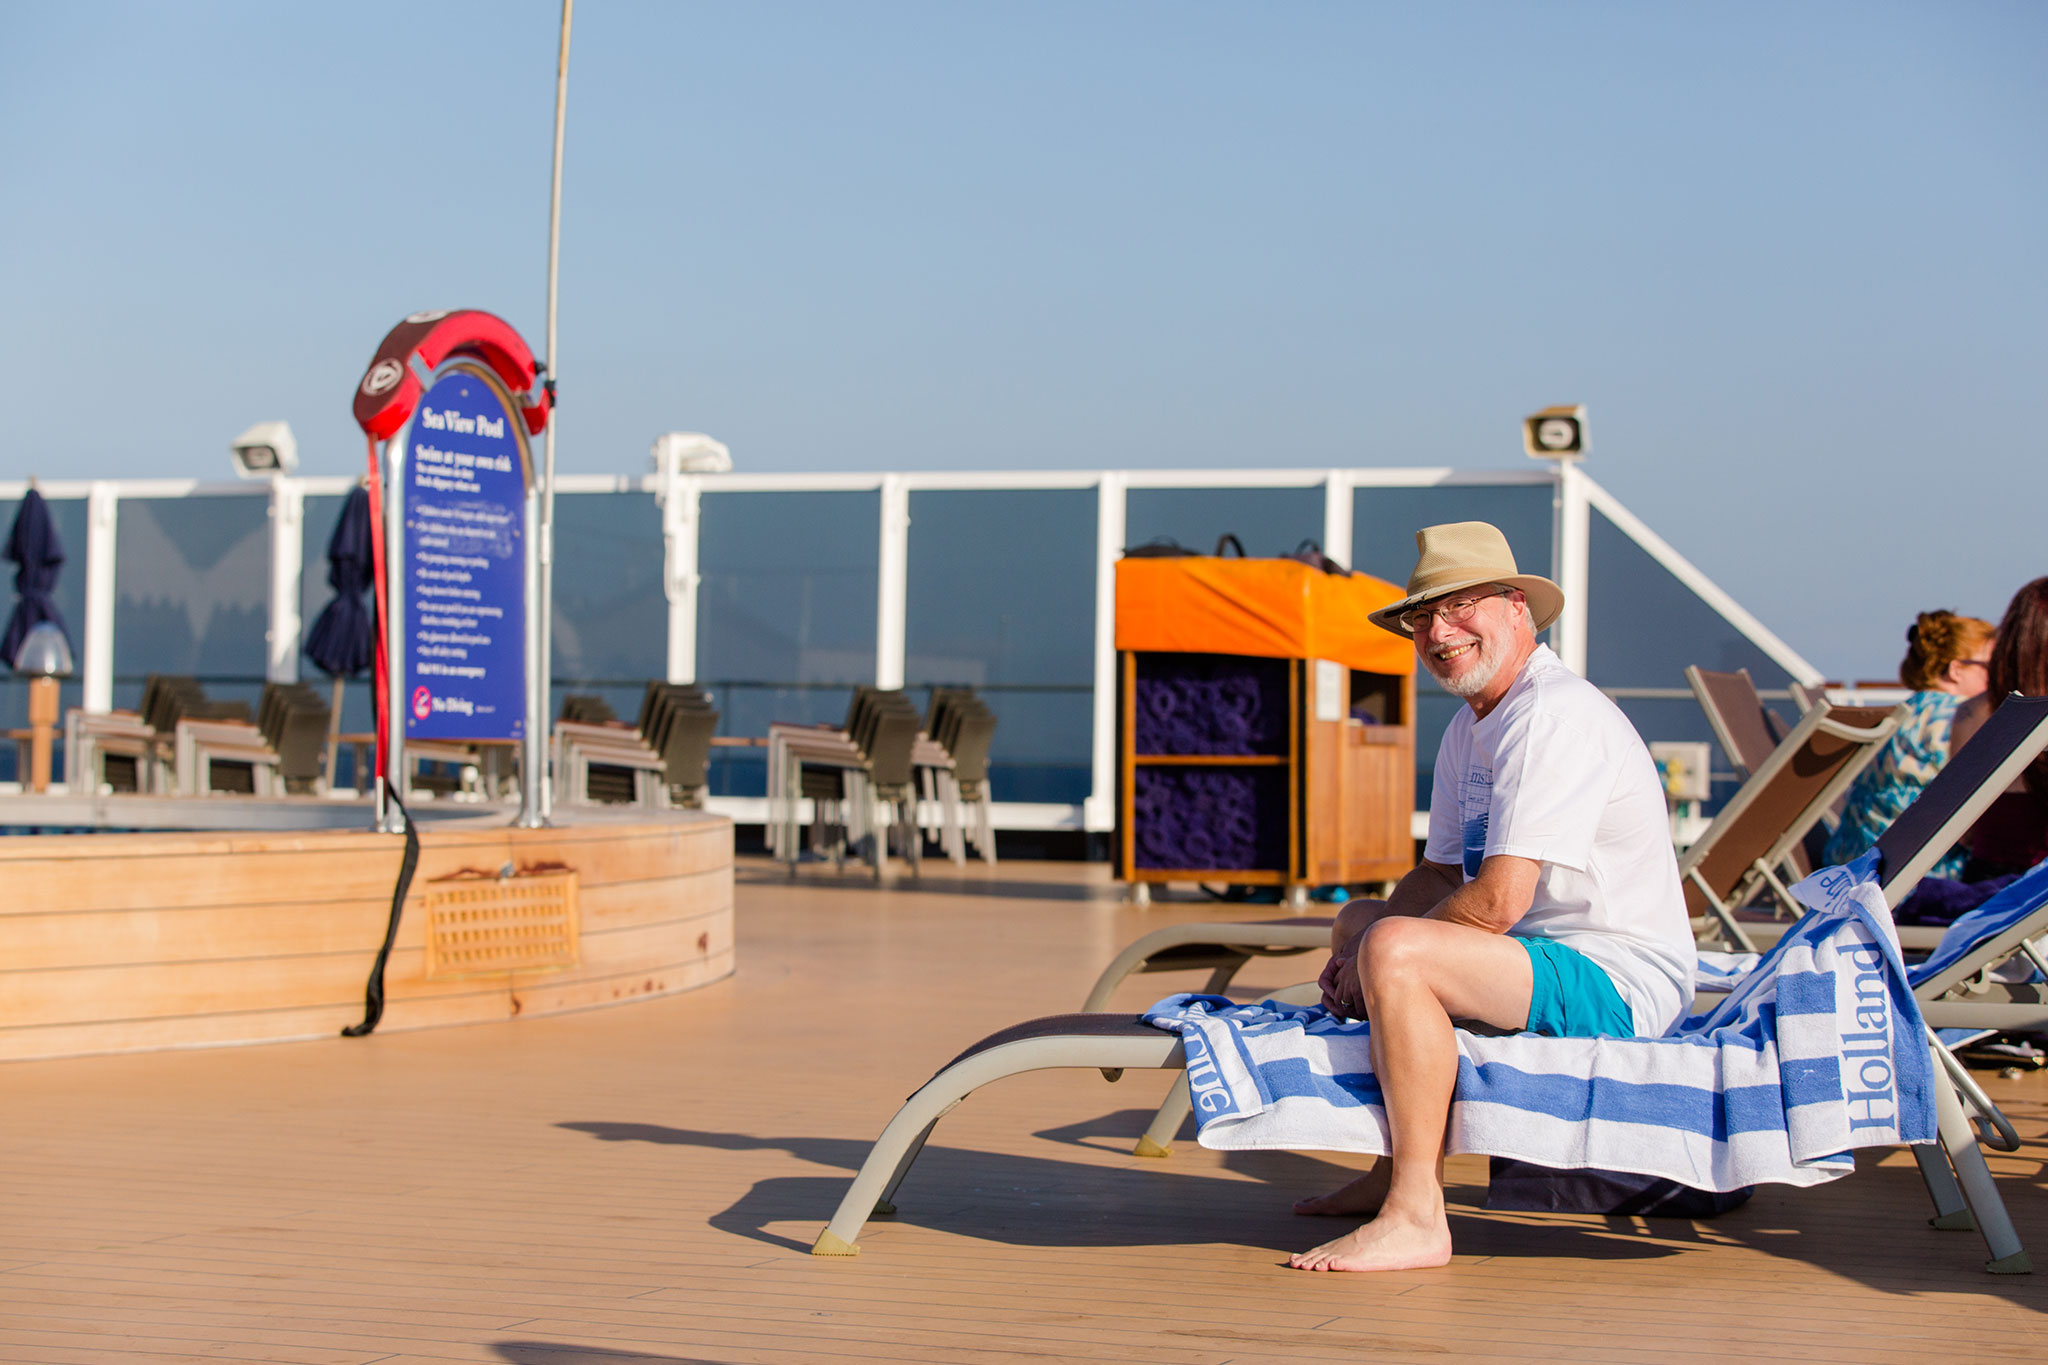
[185,940]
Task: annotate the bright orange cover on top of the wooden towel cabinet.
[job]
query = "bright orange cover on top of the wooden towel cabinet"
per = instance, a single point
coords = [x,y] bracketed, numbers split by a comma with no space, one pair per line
[1275,609]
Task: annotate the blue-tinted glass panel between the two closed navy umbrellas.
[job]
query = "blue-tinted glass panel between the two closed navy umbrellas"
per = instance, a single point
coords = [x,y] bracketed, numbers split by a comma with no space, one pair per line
[194,592]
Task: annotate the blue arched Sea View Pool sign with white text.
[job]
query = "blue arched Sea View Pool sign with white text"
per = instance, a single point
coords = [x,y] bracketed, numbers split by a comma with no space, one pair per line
[464,564]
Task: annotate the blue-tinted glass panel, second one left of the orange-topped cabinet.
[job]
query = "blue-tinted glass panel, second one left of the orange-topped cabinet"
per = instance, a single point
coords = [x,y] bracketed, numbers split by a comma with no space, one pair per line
[785,615]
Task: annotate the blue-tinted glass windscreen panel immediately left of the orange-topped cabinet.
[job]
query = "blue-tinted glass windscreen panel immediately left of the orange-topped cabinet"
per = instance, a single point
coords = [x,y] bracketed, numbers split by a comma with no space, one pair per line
[1002,599]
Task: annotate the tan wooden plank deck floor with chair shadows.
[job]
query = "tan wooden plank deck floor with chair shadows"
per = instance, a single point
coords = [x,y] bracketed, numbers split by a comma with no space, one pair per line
[642,1184]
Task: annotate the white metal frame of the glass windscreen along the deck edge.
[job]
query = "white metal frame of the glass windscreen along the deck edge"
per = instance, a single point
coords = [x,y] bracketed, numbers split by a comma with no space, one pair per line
[1574,498]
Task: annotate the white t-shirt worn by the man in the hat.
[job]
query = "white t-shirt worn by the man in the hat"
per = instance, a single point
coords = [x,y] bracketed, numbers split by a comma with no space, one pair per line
[1558,775]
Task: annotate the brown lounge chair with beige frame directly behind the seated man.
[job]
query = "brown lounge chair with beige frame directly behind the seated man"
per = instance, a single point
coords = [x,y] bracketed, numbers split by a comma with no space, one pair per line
[1742,854]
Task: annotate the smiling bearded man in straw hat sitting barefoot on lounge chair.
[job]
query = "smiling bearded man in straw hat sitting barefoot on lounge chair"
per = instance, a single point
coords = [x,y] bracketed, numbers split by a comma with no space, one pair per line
[1547,897]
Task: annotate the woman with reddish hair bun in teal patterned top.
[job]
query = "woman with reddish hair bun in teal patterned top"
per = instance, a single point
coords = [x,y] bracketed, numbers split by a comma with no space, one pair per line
[1947,664]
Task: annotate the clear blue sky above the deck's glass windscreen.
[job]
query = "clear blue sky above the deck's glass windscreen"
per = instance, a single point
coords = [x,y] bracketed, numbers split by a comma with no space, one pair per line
[1789,255]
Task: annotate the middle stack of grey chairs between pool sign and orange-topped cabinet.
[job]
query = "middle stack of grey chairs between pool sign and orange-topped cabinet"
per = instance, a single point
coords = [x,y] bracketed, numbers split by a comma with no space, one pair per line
[845,775]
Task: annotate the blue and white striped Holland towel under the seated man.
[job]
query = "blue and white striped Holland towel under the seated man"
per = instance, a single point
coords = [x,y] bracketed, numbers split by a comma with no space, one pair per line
[1820,1051]
